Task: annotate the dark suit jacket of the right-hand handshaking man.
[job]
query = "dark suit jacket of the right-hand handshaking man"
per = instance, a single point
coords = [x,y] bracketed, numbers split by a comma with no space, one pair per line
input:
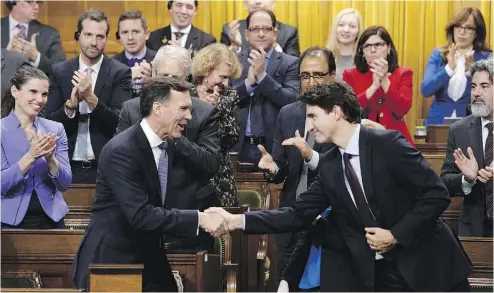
[406,197]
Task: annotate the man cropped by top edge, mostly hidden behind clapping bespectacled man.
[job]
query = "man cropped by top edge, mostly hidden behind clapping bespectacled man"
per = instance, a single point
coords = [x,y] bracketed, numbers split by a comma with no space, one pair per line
[233,33]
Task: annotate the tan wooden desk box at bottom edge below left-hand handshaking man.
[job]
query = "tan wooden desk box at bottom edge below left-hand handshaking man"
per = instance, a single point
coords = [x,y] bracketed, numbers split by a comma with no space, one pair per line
[115,278]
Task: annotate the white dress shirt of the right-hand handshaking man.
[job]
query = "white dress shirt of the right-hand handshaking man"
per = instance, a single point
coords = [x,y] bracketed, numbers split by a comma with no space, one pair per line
[353,149]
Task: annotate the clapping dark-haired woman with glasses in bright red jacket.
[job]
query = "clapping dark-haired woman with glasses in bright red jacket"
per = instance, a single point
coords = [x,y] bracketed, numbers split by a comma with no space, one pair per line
[383,88]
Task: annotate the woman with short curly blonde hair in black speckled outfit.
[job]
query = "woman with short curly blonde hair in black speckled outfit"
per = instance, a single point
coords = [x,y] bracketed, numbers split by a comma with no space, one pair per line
[212,69]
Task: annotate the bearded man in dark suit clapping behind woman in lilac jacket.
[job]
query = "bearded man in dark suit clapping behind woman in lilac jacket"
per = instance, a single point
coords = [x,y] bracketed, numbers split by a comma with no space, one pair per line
[86,95]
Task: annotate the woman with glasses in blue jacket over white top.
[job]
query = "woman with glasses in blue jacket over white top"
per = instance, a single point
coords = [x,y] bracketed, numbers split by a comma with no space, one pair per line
[446,75]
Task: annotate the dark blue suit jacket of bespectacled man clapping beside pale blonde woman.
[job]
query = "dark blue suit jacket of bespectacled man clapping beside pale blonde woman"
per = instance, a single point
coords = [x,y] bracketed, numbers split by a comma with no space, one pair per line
[280,87]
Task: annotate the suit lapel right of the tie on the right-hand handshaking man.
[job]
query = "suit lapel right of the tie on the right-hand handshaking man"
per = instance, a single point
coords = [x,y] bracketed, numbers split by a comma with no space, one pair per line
[365,154]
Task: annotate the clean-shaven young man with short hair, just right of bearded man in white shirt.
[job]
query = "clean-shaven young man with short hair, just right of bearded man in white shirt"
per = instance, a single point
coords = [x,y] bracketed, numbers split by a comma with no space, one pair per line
[133,33]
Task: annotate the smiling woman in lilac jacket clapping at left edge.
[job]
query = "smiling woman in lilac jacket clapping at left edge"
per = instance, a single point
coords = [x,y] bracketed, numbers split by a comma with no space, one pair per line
[35,163]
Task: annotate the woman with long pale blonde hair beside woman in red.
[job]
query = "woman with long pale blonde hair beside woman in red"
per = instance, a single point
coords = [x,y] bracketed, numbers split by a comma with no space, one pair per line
[345,31]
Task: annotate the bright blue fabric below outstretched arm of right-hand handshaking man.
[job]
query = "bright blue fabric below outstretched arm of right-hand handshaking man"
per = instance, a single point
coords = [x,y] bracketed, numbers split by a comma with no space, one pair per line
[312,274]
